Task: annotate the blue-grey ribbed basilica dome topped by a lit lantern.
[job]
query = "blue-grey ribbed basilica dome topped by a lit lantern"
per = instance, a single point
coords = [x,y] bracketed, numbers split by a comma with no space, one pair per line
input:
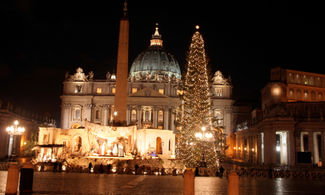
[155,61]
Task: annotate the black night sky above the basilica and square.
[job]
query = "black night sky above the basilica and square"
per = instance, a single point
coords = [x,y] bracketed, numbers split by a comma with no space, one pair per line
[41,40]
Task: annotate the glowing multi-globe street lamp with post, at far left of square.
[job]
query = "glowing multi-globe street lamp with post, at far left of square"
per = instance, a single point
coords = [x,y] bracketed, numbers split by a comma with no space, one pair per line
[14,131]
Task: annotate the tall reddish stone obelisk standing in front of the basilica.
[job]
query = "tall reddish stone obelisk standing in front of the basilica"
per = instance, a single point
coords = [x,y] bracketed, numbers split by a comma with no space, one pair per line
[120,102]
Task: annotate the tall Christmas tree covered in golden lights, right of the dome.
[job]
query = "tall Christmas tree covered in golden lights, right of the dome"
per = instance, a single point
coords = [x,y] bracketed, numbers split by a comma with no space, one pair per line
[198,141]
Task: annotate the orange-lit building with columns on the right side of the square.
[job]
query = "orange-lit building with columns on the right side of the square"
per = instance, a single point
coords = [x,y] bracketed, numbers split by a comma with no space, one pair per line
[289,128]
